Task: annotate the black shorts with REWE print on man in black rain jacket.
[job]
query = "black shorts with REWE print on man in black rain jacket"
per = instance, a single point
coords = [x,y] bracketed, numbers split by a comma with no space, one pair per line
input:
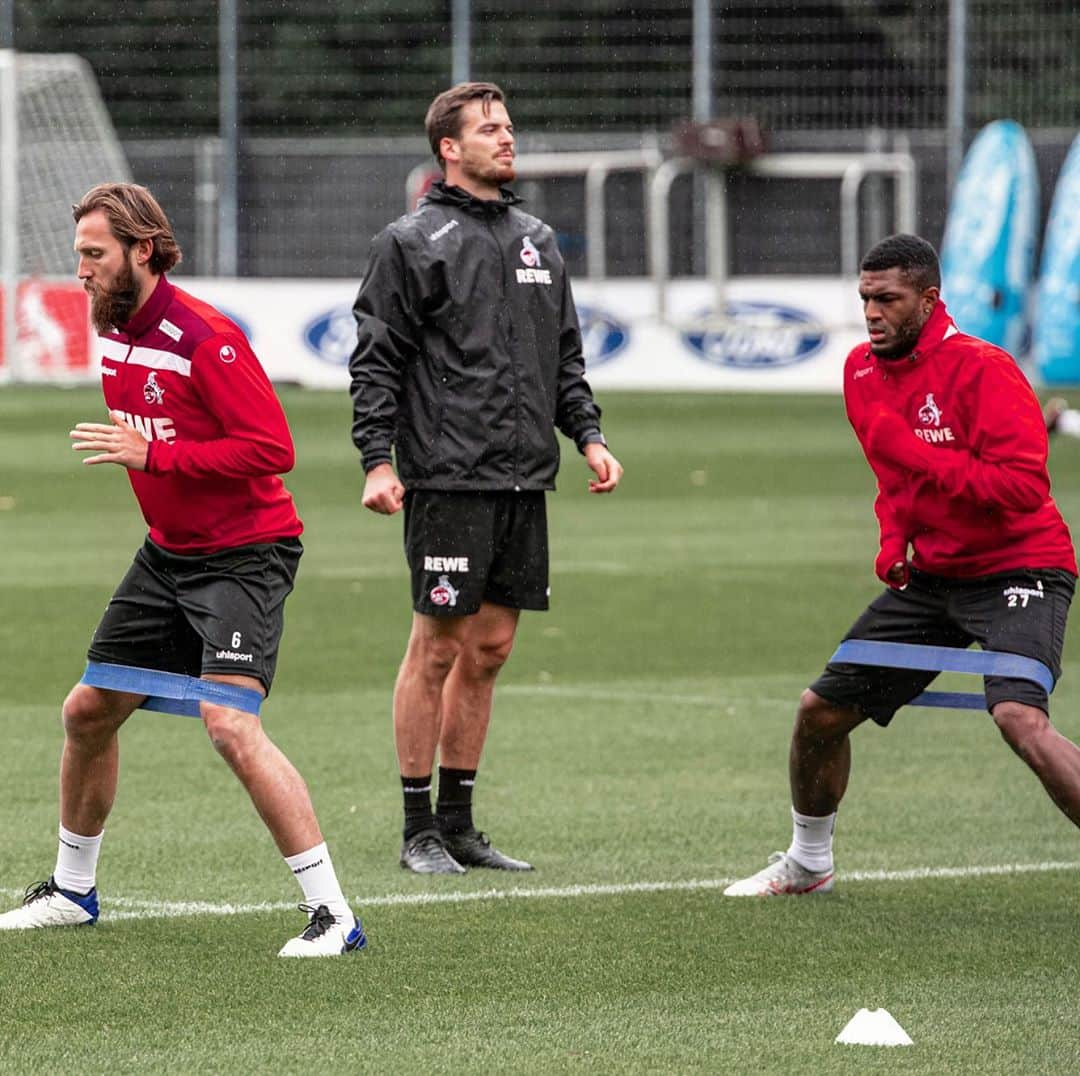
[467,548]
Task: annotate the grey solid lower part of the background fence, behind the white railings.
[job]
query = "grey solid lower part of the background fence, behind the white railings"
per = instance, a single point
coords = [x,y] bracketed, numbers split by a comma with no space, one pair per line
[310,207]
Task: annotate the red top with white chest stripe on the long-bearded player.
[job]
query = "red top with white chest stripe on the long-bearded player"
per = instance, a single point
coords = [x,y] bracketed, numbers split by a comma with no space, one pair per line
[185,376]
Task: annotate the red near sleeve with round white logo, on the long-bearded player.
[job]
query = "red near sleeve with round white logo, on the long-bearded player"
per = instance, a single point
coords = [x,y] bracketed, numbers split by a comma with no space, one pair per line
[254,439]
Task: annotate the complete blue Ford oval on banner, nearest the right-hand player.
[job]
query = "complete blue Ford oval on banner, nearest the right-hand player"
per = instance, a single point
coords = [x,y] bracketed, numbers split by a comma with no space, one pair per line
[758,335]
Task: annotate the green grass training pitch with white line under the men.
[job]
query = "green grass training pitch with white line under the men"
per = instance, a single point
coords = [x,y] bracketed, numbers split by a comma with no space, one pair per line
[638,757]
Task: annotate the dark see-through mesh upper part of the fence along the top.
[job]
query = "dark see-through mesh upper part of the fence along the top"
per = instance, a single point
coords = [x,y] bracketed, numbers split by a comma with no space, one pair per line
[371,69]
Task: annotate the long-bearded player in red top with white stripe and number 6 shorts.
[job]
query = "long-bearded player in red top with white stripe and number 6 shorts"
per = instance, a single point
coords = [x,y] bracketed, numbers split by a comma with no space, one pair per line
[197,425]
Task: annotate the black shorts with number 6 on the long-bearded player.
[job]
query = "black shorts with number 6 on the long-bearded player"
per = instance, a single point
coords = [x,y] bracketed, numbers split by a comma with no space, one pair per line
[219,613]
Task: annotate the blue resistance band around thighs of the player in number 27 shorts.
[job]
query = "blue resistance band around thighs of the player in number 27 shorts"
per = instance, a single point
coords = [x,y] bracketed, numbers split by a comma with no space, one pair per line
[861,652]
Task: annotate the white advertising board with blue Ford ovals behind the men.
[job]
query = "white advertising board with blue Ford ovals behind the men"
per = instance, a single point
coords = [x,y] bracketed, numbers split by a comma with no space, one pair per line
[782,334]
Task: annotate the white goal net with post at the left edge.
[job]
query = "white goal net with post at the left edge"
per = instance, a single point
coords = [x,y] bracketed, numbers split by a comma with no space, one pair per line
[57,141]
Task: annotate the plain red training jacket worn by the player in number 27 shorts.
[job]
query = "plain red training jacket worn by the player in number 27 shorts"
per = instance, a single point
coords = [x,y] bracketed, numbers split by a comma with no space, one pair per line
[957,441]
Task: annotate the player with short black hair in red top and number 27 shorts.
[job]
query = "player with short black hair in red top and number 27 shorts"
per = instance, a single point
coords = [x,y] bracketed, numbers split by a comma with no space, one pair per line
[973,549]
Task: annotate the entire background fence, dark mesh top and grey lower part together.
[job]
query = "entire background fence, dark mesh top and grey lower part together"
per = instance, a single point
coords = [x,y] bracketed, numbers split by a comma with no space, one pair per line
[332,95]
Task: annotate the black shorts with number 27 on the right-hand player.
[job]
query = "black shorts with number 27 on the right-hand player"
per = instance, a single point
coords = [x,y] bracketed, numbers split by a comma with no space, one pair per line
[1022,612]
